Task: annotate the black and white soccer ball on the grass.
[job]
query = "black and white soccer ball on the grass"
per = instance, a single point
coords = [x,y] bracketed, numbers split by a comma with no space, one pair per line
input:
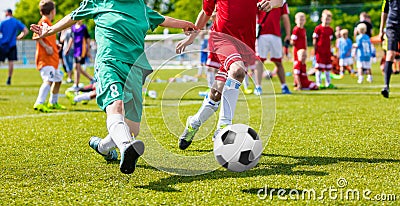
[238,147]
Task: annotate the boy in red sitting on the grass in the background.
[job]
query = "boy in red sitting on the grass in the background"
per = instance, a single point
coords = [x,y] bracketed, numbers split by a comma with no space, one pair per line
[300,72]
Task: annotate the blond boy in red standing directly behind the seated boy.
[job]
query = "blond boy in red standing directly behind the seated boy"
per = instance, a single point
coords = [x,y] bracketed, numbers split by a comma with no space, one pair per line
[299,35]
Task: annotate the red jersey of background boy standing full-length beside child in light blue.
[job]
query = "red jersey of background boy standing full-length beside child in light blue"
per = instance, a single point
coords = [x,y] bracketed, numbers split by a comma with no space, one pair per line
[324,35]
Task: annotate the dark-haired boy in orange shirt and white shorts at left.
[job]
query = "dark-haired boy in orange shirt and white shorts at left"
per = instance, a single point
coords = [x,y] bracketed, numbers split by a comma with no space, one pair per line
[47,62]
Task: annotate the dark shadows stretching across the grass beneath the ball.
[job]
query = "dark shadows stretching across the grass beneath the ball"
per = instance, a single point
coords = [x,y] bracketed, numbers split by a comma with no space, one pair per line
[166,184]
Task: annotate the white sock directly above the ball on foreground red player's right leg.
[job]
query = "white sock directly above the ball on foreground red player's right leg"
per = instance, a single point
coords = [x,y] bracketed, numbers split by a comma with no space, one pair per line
[229,97]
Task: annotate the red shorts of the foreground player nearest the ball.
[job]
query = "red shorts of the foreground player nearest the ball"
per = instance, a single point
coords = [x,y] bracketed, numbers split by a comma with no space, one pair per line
[227,50]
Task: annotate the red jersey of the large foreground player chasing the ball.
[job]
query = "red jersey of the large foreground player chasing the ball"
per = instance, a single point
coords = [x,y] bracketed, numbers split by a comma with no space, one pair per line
[234,17]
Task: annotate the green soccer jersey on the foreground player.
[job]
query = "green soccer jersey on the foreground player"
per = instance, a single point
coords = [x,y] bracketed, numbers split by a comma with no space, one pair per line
[121,26]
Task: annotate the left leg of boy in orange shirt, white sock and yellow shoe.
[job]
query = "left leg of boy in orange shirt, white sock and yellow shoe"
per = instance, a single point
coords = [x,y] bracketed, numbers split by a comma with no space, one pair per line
[46,73]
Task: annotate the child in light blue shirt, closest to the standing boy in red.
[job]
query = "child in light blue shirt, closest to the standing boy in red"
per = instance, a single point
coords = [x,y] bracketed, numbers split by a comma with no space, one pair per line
[345,59]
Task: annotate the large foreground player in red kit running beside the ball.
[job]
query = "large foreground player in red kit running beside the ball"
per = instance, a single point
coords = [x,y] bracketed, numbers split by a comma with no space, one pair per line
[232,40]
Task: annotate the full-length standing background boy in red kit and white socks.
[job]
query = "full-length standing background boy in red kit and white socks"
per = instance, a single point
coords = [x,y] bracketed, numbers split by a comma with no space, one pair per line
[322,37]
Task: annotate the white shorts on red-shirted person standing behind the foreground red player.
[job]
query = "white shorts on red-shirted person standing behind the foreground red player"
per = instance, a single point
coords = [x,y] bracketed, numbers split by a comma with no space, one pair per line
[269,43]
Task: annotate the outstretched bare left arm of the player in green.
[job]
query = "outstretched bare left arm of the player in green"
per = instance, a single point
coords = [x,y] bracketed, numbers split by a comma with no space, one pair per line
[46,30]
